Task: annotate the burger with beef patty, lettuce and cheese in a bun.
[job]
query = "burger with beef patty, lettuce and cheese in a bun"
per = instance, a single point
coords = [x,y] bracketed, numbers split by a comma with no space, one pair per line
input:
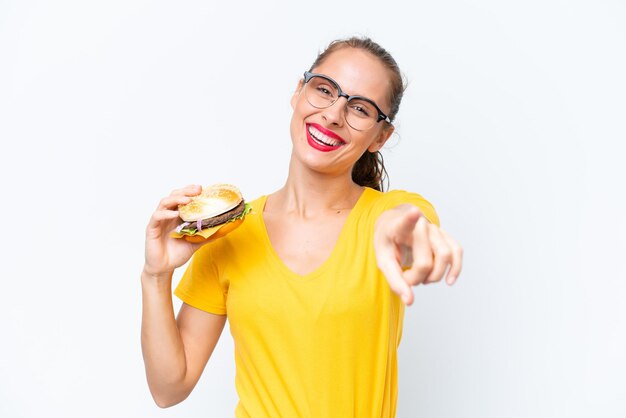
[215,212]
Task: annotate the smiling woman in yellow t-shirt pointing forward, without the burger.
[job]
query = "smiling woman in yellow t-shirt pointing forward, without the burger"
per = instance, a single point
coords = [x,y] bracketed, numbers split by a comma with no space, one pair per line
[313,282]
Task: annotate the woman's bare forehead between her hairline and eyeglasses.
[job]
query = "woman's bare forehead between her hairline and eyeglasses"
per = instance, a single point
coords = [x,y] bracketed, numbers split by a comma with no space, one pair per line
[358,73]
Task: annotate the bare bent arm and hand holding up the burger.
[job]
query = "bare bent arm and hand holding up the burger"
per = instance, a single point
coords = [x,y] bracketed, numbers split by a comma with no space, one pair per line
[175,351]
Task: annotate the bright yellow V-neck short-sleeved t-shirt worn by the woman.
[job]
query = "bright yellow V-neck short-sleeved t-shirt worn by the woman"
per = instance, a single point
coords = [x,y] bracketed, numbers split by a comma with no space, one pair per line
[319,345]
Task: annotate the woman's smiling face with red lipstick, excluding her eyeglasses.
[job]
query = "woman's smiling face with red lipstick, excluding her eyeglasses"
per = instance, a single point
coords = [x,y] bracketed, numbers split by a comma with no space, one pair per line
[322,140]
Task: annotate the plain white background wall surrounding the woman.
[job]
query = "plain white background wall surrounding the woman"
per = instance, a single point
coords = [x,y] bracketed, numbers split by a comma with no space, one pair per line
[513,126]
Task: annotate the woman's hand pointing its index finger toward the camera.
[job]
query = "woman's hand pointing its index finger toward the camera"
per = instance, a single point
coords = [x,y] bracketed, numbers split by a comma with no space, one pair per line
[412,251]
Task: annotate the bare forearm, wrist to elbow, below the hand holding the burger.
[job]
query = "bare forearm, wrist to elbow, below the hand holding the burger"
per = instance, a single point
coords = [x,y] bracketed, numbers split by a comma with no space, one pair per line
[161,342]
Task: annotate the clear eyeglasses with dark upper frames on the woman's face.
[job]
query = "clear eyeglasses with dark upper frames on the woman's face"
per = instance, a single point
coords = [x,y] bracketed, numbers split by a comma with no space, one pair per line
[322,92]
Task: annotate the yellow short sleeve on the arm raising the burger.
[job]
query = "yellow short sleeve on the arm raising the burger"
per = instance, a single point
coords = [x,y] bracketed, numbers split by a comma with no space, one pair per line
[200,285]
